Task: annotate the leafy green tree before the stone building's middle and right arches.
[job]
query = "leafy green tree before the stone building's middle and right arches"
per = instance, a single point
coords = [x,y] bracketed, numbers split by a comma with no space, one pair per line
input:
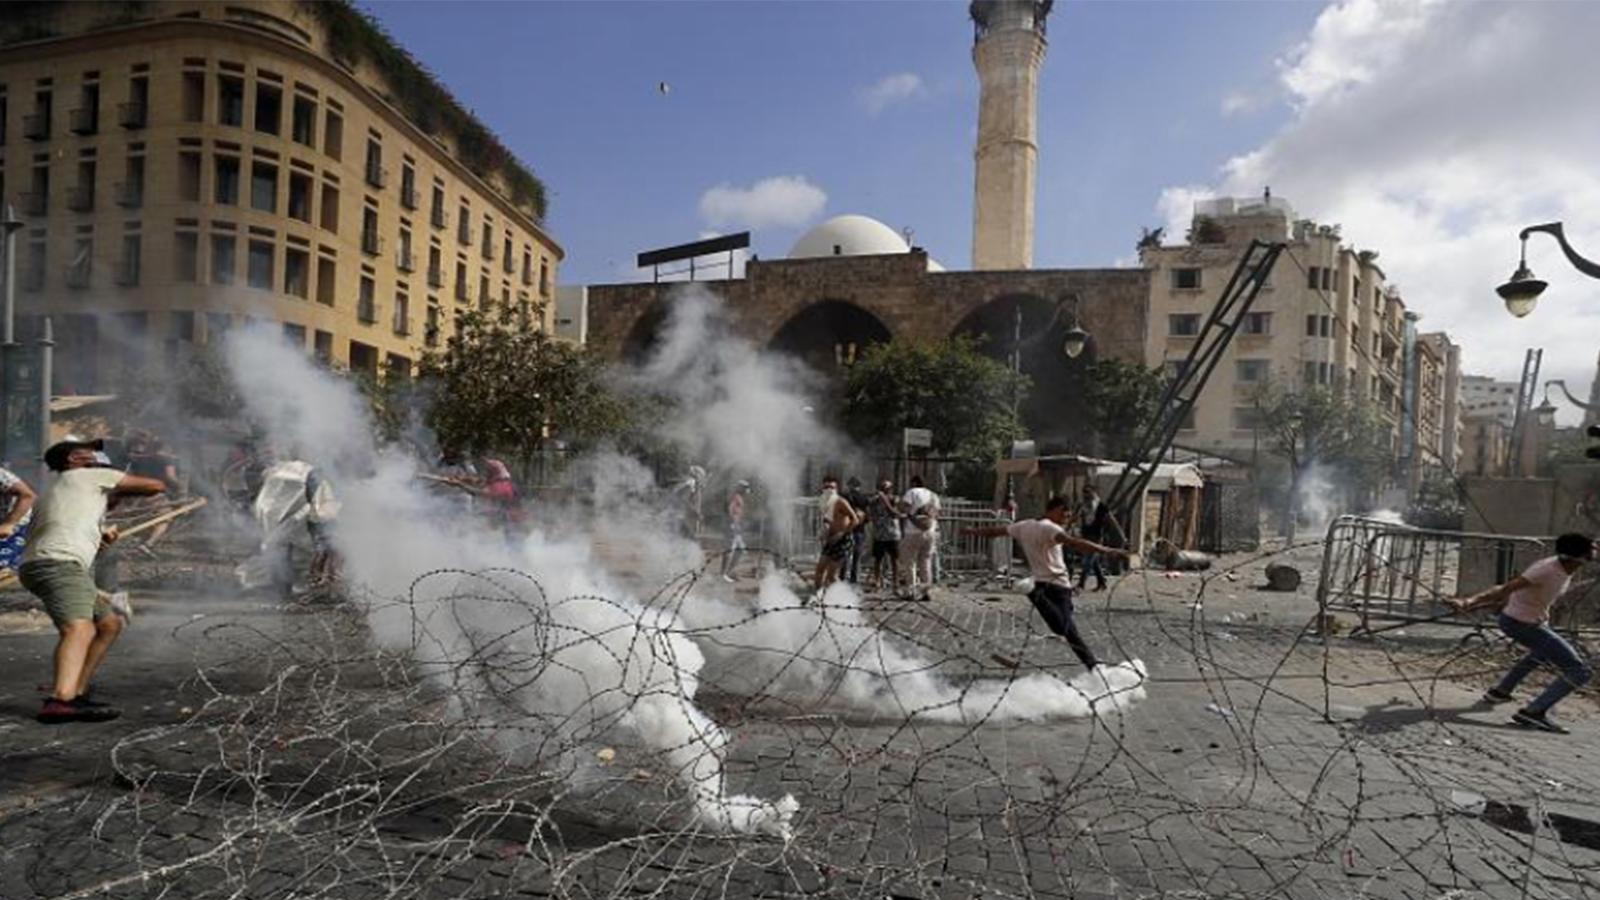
[966,398]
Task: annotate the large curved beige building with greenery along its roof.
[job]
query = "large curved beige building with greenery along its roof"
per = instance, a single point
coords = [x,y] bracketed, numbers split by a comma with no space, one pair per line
[183,167]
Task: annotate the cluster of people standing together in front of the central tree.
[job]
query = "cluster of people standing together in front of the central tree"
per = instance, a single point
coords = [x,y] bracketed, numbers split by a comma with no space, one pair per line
[902,526]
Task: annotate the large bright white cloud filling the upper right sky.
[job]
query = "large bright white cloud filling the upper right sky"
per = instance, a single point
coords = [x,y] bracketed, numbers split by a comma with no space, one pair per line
[1434,132]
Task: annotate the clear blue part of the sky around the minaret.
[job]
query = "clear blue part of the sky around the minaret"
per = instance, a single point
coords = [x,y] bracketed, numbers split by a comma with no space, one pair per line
[1130,102]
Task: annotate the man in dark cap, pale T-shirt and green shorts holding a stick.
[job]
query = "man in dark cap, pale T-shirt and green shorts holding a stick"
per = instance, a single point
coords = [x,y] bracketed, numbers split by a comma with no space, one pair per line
[58,565]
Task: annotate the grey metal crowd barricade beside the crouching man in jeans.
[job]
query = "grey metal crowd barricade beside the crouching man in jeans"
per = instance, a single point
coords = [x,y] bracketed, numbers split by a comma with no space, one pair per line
[1388,571]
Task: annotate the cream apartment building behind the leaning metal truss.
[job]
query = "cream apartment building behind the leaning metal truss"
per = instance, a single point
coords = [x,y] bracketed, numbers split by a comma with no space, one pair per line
[1326,318]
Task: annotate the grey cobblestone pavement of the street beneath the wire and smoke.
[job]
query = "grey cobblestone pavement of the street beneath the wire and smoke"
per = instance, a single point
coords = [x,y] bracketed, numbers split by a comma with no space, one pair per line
[270,753]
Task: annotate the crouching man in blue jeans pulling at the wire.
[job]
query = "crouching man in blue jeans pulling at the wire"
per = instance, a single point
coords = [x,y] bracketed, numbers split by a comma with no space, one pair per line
[1526,617]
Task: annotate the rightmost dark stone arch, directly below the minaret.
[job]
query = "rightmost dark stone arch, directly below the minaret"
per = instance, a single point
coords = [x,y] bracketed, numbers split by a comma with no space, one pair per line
[1054,409]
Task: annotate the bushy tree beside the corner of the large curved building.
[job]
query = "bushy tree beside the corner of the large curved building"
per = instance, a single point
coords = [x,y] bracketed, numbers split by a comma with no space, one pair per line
[503,388]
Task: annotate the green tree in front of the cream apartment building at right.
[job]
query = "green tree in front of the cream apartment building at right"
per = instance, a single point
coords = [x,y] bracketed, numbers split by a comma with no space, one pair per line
[1329,430]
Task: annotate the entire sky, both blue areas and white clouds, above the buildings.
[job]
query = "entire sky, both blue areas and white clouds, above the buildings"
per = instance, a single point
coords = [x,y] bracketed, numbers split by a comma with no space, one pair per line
[1431,131]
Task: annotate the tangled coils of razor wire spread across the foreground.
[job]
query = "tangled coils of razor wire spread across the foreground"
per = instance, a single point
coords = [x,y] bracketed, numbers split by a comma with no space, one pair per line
[322,760]
